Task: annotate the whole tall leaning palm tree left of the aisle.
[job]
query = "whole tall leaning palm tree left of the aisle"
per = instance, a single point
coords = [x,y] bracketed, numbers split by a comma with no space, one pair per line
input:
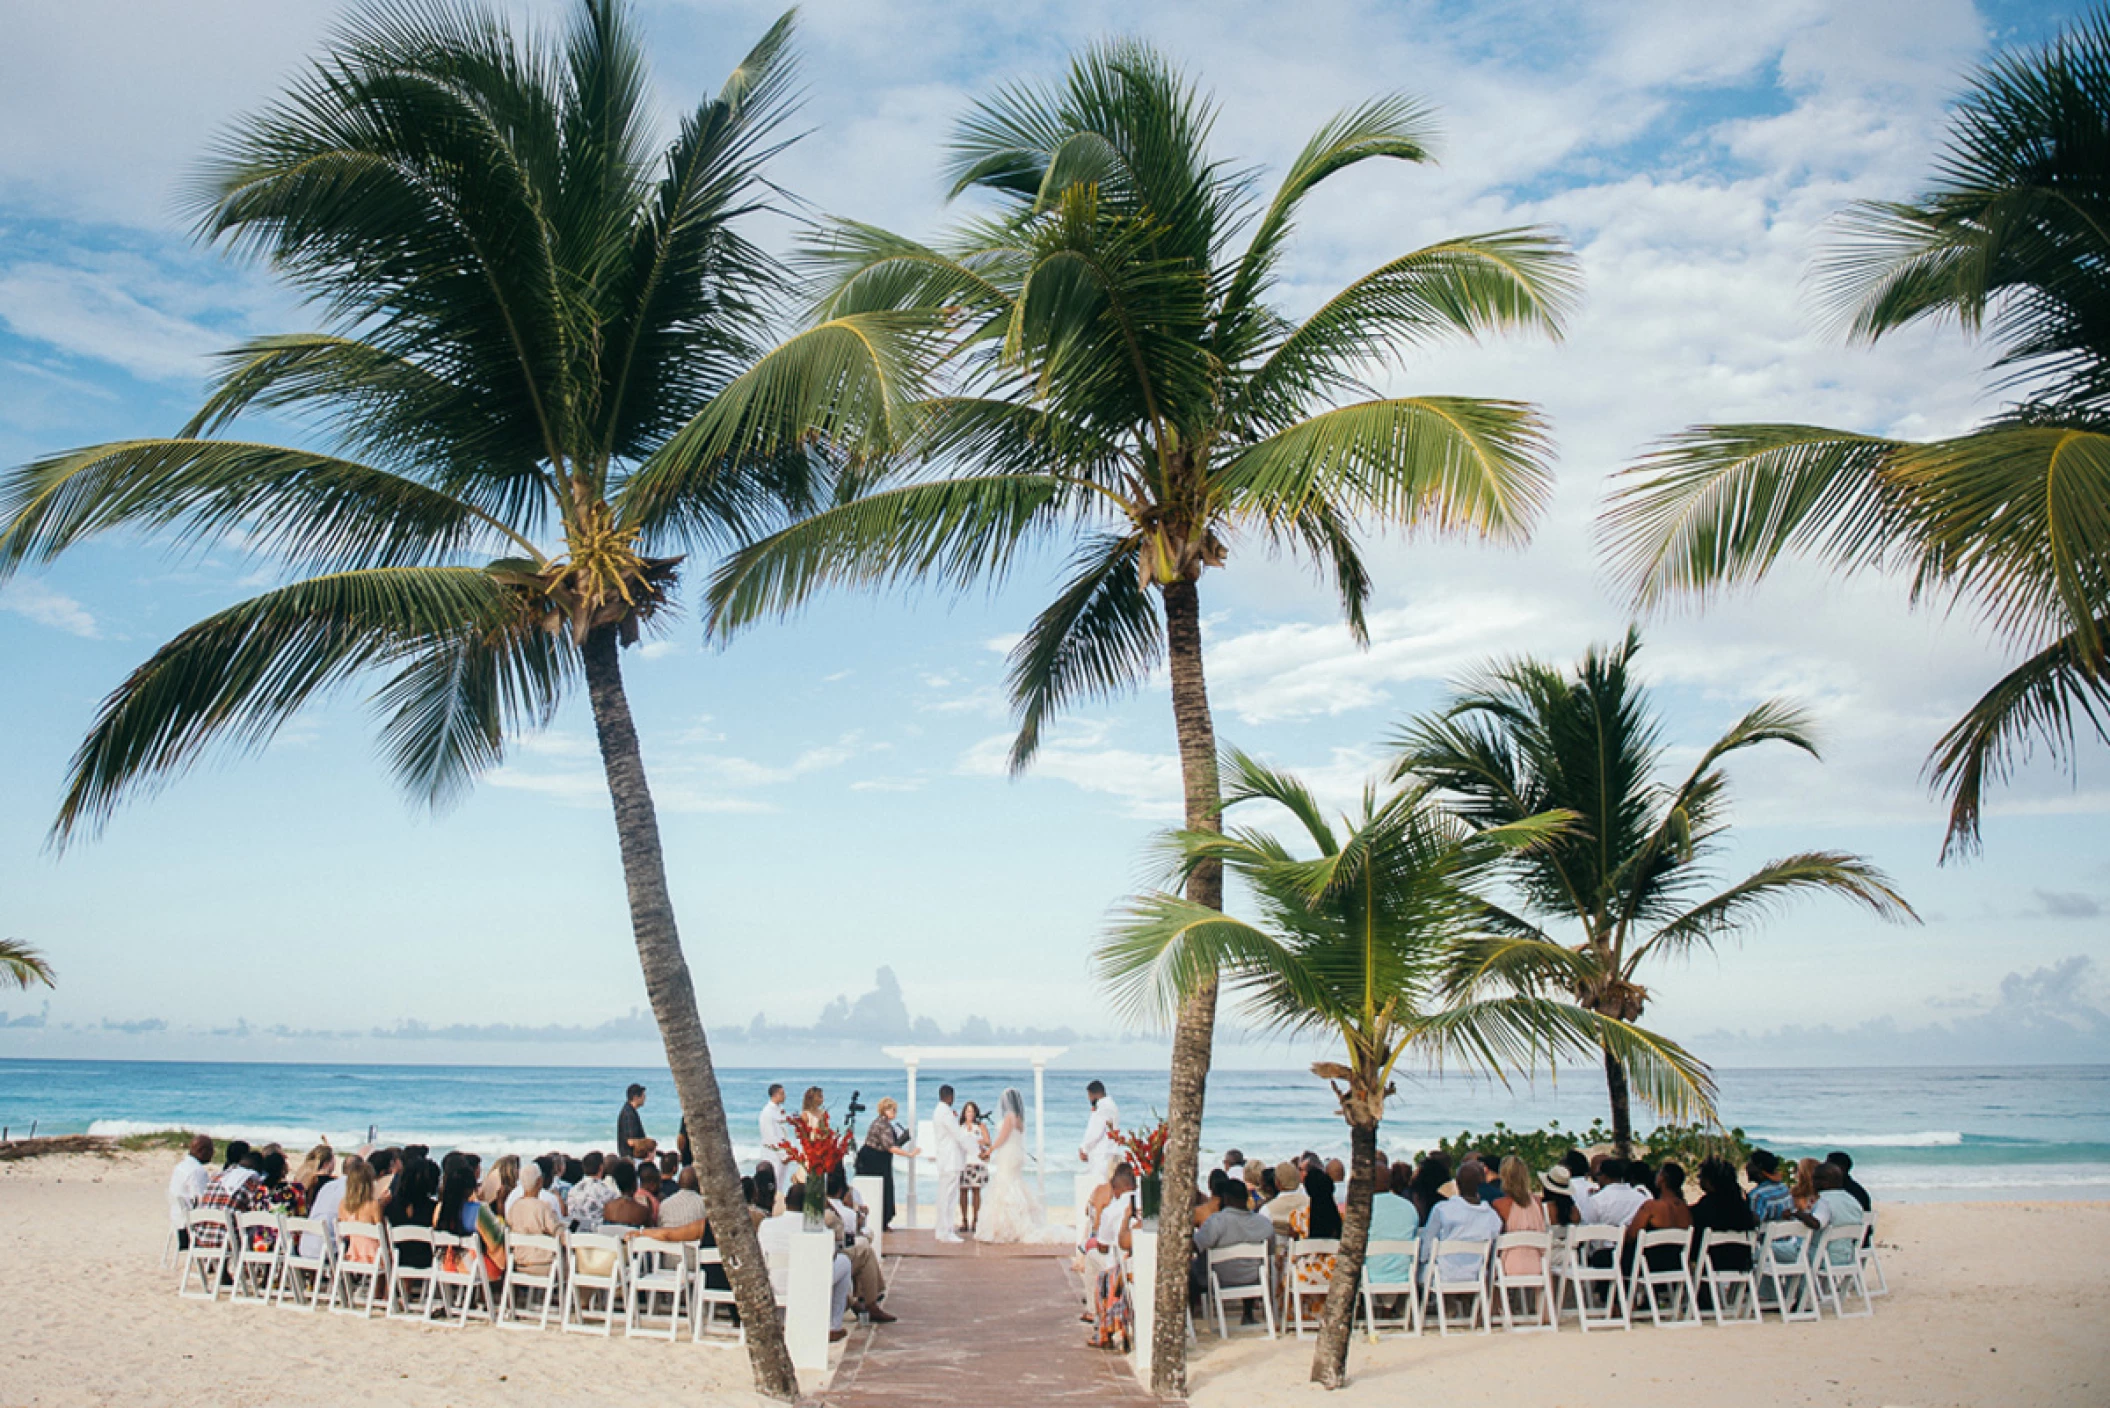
[522,299]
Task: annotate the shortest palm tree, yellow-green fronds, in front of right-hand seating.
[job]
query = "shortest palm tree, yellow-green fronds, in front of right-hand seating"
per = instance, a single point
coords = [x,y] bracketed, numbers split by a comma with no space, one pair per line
[1373,945]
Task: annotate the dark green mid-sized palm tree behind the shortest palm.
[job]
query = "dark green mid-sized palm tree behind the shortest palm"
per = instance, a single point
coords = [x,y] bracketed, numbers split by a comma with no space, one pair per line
[1634,873]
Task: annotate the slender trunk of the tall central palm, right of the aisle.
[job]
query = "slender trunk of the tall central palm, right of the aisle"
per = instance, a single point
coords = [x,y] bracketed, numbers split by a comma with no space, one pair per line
[1195,1029]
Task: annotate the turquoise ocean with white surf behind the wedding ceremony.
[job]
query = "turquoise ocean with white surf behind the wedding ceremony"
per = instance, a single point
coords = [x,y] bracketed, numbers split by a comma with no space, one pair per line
[1917,1135]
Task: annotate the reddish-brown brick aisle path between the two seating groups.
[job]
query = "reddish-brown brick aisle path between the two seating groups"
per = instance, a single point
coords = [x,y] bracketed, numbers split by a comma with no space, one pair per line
[980,1329]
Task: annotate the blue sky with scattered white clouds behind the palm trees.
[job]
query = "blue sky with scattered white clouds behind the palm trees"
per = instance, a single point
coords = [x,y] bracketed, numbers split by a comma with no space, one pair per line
[832,788]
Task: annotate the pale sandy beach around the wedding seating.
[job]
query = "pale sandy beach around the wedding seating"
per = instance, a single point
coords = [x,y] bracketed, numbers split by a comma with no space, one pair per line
[1993,1304]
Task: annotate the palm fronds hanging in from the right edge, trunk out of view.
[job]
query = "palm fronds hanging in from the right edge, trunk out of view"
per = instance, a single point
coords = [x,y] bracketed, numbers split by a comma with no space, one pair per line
[2010,520]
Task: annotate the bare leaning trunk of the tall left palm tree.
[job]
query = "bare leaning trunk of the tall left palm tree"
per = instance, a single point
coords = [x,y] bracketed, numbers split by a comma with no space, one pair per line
[674,1008]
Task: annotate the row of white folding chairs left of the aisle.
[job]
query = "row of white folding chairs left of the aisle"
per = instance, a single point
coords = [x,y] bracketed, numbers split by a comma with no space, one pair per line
[586,1276]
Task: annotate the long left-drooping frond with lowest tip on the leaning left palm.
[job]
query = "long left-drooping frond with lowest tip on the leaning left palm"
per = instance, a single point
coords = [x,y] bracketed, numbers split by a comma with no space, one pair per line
[244,672]
